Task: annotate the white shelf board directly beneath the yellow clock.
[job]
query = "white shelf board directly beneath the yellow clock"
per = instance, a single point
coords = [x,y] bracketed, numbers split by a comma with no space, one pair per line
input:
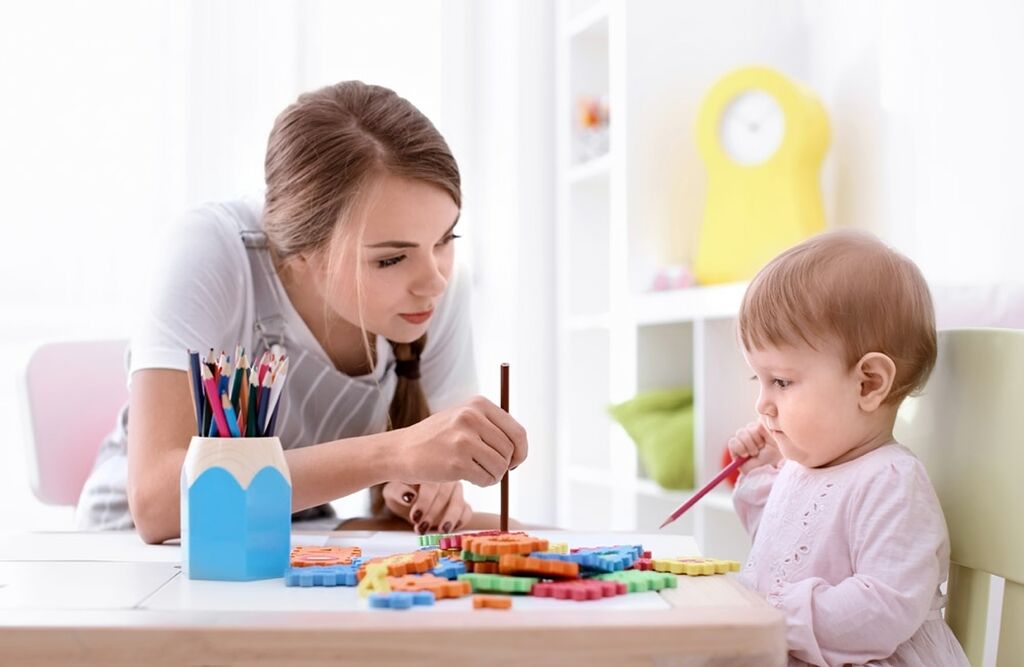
[712,303]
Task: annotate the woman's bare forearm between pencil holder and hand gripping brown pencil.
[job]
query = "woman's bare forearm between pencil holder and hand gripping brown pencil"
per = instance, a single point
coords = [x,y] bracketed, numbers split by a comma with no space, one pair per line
[330,471]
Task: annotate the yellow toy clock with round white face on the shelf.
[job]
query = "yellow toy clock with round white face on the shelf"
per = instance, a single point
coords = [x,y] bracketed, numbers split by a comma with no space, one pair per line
[763,139]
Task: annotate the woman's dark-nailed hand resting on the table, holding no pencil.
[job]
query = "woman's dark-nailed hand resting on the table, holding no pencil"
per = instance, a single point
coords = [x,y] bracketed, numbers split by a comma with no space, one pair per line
[430,507]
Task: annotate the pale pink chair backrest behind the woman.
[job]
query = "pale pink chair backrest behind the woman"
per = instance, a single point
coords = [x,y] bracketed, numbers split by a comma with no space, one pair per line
[74,392]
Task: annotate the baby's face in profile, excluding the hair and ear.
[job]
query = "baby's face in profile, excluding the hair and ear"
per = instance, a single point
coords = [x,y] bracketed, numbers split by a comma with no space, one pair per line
[808,401]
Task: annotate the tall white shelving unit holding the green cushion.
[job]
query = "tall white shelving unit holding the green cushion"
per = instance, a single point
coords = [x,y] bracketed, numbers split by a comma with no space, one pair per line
[615,341]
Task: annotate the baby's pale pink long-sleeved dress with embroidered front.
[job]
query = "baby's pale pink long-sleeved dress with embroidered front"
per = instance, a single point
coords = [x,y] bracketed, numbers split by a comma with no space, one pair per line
[854,556]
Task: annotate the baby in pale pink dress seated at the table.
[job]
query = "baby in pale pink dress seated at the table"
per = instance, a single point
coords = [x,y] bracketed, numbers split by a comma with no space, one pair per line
[849,539]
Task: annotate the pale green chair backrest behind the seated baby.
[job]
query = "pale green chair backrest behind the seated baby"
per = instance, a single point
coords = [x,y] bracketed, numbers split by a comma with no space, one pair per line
[966,428]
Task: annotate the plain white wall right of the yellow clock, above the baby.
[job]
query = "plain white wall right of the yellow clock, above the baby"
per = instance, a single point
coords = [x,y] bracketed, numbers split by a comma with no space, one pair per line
[926,114]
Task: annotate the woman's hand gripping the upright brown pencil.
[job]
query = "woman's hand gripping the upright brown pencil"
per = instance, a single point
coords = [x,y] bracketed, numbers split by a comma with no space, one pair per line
[477,441]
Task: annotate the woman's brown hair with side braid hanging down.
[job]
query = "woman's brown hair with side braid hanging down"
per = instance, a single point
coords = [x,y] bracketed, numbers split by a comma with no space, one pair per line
[325,155]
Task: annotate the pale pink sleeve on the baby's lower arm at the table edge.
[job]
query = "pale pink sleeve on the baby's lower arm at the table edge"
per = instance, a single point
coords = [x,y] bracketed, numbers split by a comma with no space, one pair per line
[899,545]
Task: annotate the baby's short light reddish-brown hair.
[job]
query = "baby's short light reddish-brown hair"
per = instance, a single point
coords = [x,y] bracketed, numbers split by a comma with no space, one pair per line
[850,287]
